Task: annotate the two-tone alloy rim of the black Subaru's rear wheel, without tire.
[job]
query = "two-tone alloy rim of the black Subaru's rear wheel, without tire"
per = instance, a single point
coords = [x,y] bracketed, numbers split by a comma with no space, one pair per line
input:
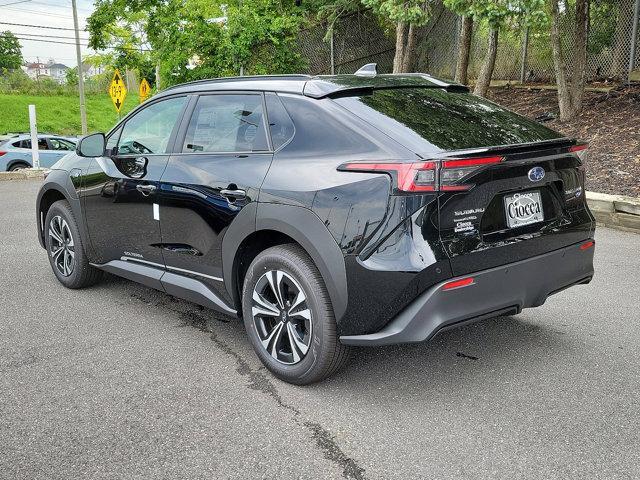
[282,317]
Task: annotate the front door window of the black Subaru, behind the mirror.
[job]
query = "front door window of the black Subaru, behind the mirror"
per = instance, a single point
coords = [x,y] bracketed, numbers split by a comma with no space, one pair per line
[149,130]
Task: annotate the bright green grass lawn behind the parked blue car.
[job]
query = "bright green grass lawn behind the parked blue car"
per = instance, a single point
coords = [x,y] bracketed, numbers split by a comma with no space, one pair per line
[60,114]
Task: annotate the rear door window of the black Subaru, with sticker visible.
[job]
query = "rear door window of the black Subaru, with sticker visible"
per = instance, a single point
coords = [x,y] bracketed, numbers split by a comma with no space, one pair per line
[227,123]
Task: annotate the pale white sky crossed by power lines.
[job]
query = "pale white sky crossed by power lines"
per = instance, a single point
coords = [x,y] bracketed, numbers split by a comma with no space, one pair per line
[46,13]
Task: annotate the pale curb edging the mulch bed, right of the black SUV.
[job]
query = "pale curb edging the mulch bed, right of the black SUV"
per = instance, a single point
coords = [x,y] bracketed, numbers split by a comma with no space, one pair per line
[615,211]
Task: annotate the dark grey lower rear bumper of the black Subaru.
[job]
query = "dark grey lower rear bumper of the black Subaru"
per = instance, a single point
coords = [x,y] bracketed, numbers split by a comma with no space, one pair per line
[498,291]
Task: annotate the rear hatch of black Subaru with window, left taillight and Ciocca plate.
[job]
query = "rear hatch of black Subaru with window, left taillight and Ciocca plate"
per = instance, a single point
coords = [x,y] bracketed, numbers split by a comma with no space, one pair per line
[508,188]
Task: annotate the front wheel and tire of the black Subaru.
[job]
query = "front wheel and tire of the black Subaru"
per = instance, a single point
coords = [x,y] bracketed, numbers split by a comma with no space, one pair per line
[65,248]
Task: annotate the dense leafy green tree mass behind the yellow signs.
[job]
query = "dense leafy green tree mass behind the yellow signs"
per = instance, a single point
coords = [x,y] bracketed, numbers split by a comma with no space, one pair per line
[194,39]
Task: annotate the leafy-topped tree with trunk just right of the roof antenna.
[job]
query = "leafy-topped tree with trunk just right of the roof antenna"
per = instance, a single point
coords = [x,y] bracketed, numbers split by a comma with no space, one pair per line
[407,16]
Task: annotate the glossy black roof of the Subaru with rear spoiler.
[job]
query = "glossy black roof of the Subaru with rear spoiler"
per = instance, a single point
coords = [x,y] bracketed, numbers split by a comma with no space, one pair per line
[315,86]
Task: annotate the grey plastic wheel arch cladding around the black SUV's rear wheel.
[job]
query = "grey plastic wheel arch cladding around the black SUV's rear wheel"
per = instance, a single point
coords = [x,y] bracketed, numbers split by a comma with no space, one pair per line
[286,222]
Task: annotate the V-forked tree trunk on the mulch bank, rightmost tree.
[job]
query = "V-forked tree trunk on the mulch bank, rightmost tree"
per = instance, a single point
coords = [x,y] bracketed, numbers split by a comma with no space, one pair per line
[570,81]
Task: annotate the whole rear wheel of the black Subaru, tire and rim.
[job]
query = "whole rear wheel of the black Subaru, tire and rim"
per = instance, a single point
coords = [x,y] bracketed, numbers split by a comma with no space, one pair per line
[275,338]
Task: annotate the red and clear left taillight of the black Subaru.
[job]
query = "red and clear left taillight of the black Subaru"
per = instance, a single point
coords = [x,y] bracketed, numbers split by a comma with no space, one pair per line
[444,175]
